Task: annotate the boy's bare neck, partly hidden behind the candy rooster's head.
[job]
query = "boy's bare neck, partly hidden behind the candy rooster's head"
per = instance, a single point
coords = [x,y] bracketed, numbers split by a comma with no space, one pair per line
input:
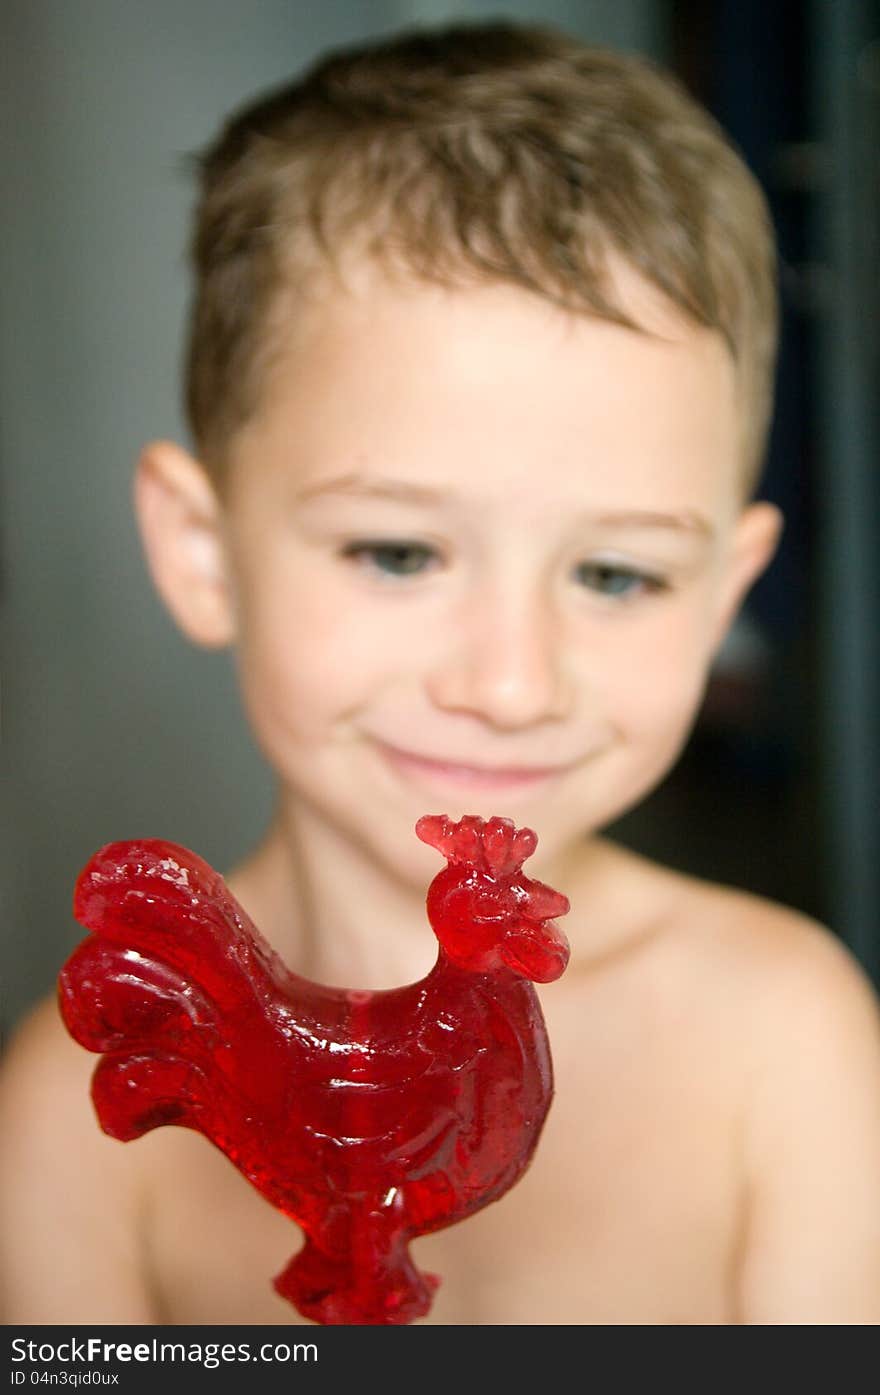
[340,919]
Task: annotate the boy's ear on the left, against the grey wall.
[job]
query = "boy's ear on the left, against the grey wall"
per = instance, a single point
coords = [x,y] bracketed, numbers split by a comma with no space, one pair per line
[182,527]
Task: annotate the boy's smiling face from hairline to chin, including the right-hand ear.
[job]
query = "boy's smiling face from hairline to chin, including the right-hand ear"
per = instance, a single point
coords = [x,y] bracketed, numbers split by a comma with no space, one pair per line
[480,557]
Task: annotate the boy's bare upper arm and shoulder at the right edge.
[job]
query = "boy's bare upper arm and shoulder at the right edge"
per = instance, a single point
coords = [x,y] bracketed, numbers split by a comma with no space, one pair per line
[805,1023]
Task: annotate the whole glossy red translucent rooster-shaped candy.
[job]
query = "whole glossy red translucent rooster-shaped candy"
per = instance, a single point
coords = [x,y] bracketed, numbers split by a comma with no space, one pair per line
[369,1118]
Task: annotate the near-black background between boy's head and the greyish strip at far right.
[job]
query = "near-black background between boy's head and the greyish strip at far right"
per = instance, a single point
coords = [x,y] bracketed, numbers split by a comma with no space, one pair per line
[748,787]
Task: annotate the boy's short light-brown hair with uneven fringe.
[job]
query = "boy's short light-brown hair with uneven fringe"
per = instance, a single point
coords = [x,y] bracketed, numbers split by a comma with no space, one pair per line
[489,153]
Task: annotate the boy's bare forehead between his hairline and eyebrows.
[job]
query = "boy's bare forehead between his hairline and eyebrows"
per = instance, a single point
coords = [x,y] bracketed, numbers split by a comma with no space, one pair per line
[441,380]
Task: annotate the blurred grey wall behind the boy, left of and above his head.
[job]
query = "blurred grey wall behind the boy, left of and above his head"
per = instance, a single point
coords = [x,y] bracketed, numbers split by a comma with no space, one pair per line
[114,727]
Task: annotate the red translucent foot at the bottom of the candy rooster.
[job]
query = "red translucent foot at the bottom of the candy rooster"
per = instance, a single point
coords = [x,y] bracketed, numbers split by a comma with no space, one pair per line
[358,1270]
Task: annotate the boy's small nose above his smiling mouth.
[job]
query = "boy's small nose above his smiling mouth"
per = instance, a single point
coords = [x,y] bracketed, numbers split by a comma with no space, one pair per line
[506,663]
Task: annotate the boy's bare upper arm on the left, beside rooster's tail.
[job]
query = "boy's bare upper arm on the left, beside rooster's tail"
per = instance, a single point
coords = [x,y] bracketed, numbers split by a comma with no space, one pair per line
[69,1196]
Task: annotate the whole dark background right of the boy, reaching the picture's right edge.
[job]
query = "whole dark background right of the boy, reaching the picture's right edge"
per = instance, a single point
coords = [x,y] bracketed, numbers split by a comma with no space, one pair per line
[765,799]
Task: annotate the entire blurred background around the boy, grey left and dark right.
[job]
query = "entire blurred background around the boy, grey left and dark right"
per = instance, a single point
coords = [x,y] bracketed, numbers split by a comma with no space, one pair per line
[114,727]
